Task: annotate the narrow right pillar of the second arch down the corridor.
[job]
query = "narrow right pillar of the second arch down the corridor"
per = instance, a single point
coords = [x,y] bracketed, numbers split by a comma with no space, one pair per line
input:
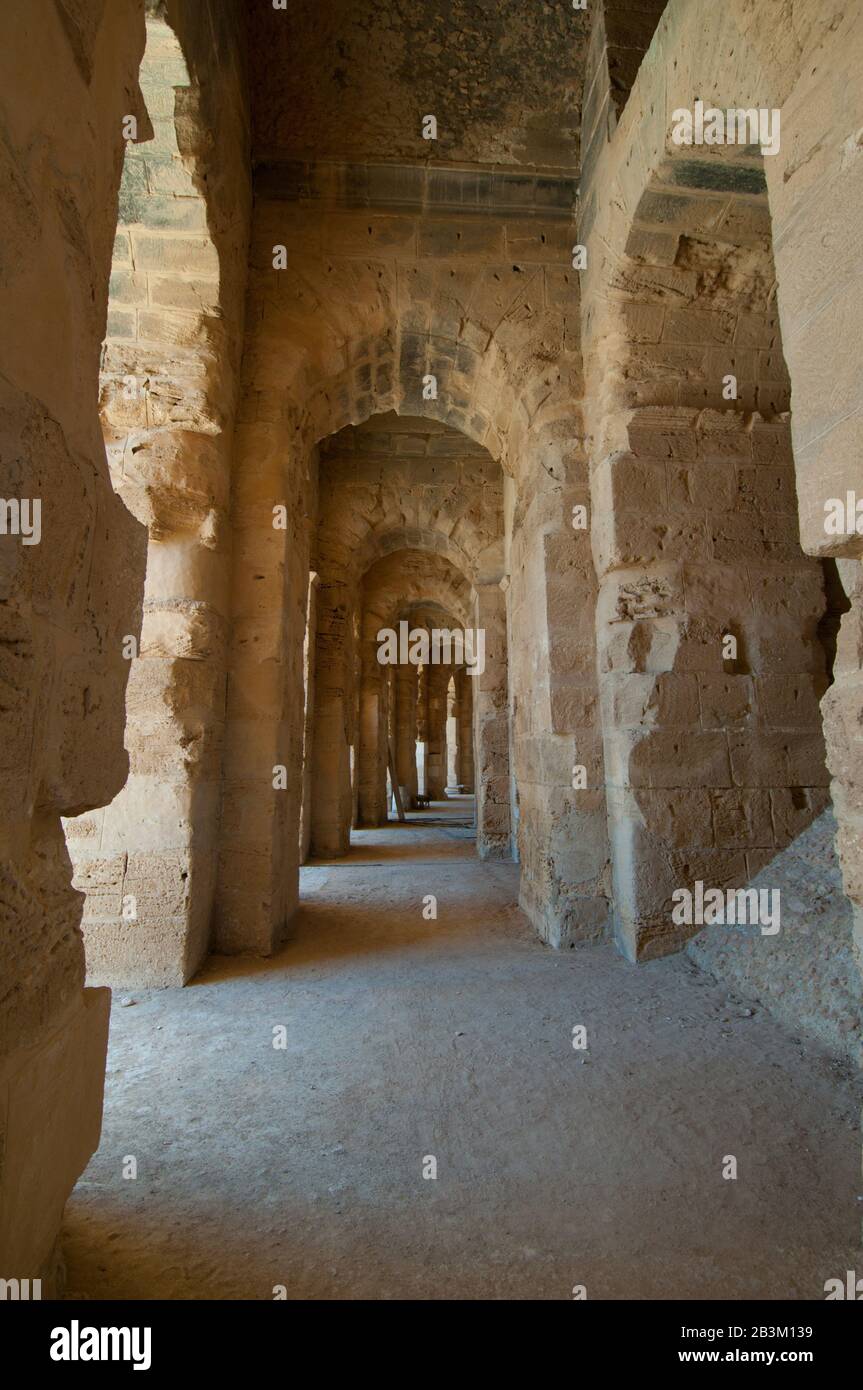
[491,723]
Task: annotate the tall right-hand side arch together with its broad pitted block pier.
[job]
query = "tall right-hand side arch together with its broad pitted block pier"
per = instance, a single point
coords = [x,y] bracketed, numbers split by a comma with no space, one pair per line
[679,293]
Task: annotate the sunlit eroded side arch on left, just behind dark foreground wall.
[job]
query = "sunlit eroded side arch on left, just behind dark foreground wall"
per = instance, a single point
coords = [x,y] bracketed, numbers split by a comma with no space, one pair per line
[169,384]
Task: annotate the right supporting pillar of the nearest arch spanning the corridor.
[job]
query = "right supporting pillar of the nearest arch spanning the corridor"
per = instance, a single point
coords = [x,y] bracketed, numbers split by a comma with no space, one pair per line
[554,708]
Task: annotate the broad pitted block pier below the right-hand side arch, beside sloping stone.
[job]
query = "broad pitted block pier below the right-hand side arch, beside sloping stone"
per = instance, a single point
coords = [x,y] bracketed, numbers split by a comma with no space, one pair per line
[715,762]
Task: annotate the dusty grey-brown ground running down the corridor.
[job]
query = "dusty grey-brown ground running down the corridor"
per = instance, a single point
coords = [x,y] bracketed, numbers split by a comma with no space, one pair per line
[409,1038]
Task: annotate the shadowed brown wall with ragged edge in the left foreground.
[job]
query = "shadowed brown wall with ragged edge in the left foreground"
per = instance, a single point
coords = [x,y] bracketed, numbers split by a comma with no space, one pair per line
[67,81]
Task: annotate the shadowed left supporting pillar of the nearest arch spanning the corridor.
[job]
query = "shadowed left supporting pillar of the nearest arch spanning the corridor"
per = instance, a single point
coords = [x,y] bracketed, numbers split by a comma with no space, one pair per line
[261,822]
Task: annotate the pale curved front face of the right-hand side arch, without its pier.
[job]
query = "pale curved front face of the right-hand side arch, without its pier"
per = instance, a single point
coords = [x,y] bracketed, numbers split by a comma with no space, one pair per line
[746,60]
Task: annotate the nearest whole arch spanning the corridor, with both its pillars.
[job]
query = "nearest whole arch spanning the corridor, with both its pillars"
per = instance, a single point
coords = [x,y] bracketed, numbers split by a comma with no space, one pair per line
[366,308]
